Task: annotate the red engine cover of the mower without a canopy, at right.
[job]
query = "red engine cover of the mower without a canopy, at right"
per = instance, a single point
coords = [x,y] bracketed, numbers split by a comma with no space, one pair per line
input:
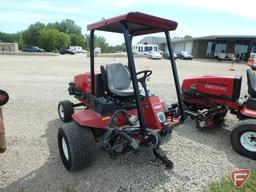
[217,87]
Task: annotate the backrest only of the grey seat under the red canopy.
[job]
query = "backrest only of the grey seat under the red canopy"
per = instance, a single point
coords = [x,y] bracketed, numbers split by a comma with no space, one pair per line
[118,76]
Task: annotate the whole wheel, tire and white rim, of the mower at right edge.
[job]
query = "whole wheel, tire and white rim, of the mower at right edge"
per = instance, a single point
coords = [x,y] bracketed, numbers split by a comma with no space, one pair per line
[243,138]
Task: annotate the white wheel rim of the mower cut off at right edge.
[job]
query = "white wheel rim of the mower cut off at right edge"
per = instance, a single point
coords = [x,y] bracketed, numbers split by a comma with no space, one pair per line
[248,141]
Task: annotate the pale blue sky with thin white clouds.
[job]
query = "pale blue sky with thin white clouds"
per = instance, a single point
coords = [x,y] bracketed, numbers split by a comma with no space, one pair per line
[195,17]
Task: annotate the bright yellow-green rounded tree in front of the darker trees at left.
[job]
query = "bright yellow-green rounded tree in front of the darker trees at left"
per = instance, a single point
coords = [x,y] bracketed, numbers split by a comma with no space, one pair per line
[48,39]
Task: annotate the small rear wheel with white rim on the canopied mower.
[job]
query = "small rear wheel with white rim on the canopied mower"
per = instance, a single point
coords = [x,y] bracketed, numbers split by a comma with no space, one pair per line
[65,110]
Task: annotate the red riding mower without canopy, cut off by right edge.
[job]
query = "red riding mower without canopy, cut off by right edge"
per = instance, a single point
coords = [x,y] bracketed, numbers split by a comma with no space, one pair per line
[208,99]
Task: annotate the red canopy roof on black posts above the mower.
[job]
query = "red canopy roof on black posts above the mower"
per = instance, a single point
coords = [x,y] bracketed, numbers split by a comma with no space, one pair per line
[138,24]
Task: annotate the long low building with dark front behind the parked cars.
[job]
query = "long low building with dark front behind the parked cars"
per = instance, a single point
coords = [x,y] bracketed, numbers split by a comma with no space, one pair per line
[209,46]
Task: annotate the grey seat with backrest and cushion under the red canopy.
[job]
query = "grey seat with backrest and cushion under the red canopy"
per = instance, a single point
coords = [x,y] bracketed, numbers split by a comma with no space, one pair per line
[119,80]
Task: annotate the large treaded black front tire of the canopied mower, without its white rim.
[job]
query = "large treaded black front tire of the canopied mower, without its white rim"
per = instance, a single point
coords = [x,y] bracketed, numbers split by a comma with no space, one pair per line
[80,145]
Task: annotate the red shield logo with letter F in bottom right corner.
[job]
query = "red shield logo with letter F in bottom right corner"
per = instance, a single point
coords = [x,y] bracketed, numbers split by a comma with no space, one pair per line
[239,177]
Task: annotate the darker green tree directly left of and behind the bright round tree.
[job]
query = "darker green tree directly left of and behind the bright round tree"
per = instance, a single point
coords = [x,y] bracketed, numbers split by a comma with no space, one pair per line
[31,35]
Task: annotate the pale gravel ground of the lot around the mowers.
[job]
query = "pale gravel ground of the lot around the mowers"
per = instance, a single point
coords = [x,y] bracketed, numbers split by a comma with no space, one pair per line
[32,162]
